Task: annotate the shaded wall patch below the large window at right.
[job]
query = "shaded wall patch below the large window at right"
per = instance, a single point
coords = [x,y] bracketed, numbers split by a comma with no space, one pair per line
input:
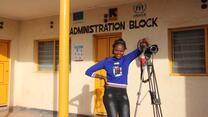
[196,97]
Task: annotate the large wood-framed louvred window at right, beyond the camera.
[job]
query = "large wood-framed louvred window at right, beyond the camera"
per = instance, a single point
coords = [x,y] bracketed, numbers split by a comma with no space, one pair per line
[188,51]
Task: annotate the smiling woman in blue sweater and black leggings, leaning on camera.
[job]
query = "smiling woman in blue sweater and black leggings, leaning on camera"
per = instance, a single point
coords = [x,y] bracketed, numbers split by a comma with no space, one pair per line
[115,96]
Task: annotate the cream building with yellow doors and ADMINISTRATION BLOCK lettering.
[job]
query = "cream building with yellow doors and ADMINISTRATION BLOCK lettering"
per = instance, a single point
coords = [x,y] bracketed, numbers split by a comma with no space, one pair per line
[179,28]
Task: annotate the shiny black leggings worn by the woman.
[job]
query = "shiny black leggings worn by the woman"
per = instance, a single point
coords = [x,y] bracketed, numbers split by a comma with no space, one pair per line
[116,102]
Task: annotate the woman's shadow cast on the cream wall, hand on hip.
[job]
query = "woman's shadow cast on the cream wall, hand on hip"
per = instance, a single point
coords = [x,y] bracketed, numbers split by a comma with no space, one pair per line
[83,101]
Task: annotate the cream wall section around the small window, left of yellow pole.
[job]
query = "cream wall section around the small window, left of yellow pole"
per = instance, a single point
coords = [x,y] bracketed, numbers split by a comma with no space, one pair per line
[37,89]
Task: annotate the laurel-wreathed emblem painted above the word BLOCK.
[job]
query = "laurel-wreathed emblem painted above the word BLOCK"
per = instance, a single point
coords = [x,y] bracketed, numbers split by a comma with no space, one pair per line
[139,9]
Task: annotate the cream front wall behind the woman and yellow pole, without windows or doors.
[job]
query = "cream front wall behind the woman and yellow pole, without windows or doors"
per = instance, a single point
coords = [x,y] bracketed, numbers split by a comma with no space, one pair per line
[183,96]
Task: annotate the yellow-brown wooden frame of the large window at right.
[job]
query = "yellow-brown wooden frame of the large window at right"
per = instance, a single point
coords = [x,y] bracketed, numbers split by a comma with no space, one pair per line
[170,49]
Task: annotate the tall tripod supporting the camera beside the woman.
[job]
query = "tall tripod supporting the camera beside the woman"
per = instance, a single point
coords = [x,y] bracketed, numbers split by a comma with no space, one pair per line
[147,62]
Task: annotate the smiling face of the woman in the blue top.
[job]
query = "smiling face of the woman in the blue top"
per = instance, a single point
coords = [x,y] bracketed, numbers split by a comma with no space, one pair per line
[118,51]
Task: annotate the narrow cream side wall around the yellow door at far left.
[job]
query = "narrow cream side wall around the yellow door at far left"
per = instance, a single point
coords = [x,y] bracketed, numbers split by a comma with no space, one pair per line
[10,31]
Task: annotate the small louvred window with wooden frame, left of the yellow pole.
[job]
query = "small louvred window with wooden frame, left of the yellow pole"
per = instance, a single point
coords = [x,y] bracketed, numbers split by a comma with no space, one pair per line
[47,55]
